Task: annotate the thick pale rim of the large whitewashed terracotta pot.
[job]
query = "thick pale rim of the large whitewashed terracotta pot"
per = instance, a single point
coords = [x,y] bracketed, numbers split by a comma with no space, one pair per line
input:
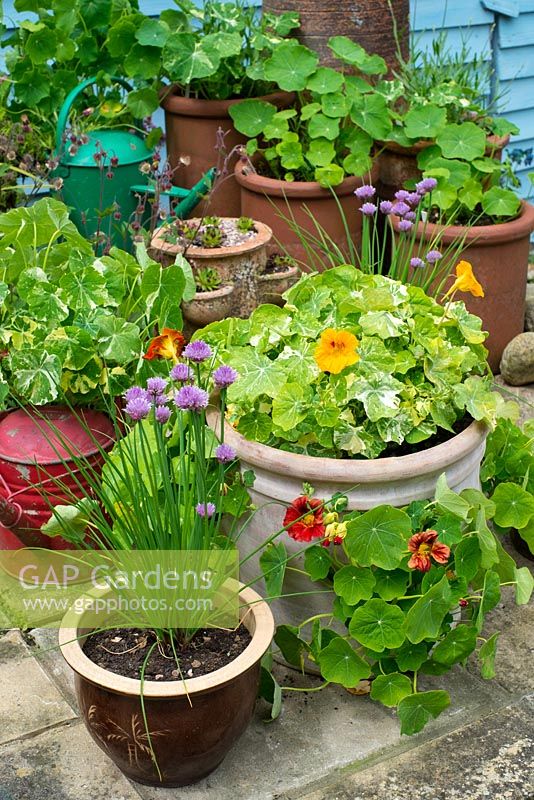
[355,471]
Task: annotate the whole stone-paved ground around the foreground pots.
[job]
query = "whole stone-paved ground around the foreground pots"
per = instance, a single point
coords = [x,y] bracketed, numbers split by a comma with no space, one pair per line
[329,745]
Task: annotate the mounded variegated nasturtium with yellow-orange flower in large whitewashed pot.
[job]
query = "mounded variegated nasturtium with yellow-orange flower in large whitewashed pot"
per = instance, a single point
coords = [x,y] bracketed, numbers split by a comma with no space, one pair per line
[356,366]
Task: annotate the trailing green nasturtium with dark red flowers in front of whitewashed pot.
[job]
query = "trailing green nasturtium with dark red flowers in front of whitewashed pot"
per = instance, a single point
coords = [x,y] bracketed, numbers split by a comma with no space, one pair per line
[418,616]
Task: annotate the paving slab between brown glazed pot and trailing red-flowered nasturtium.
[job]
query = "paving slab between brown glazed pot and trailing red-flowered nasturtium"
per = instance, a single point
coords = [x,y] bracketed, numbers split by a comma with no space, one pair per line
[319,733]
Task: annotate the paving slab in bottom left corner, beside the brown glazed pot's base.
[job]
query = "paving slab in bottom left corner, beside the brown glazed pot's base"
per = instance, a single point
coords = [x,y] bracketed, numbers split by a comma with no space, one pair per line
[62,764]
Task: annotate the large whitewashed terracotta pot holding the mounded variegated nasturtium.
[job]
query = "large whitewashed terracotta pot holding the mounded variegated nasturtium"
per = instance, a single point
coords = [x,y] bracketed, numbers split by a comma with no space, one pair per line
[366,483]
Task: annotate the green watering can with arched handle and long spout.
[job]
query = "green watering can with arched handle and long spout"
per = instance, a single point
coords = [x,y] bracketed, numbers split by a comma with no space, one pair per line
[87,190]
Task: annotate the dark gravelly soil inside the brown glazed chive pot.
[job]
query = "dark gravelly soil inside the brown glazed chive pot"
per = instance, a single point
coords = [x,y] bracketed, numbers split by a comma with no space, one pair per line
[124,650]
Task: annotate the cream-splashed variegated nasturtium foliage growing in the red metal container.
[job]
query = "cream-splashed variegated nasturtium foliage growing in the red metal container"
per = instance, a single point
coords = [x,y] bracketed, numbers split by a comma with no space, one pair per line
[73,325]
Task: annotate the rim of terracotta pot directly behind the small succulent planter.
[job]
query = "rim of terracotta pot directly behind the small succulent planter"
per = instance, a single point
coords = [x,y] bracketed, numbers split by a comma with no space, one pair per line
[306,190]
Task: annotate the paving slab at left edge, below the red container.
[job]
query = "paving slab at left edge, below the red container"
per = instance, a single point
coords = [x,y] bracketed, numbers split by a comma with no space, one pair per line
[29,701]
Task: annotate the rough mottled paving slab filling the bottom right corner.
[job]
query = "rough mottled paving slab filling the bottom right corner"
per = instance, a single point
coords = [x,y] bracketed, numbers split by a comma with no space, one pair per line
[491,758]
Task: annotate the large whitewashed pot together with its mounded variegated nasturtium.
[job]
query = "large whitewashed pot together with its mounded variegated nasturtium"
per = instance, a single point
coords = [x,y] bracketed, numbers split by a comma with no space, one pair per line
[360,385]
